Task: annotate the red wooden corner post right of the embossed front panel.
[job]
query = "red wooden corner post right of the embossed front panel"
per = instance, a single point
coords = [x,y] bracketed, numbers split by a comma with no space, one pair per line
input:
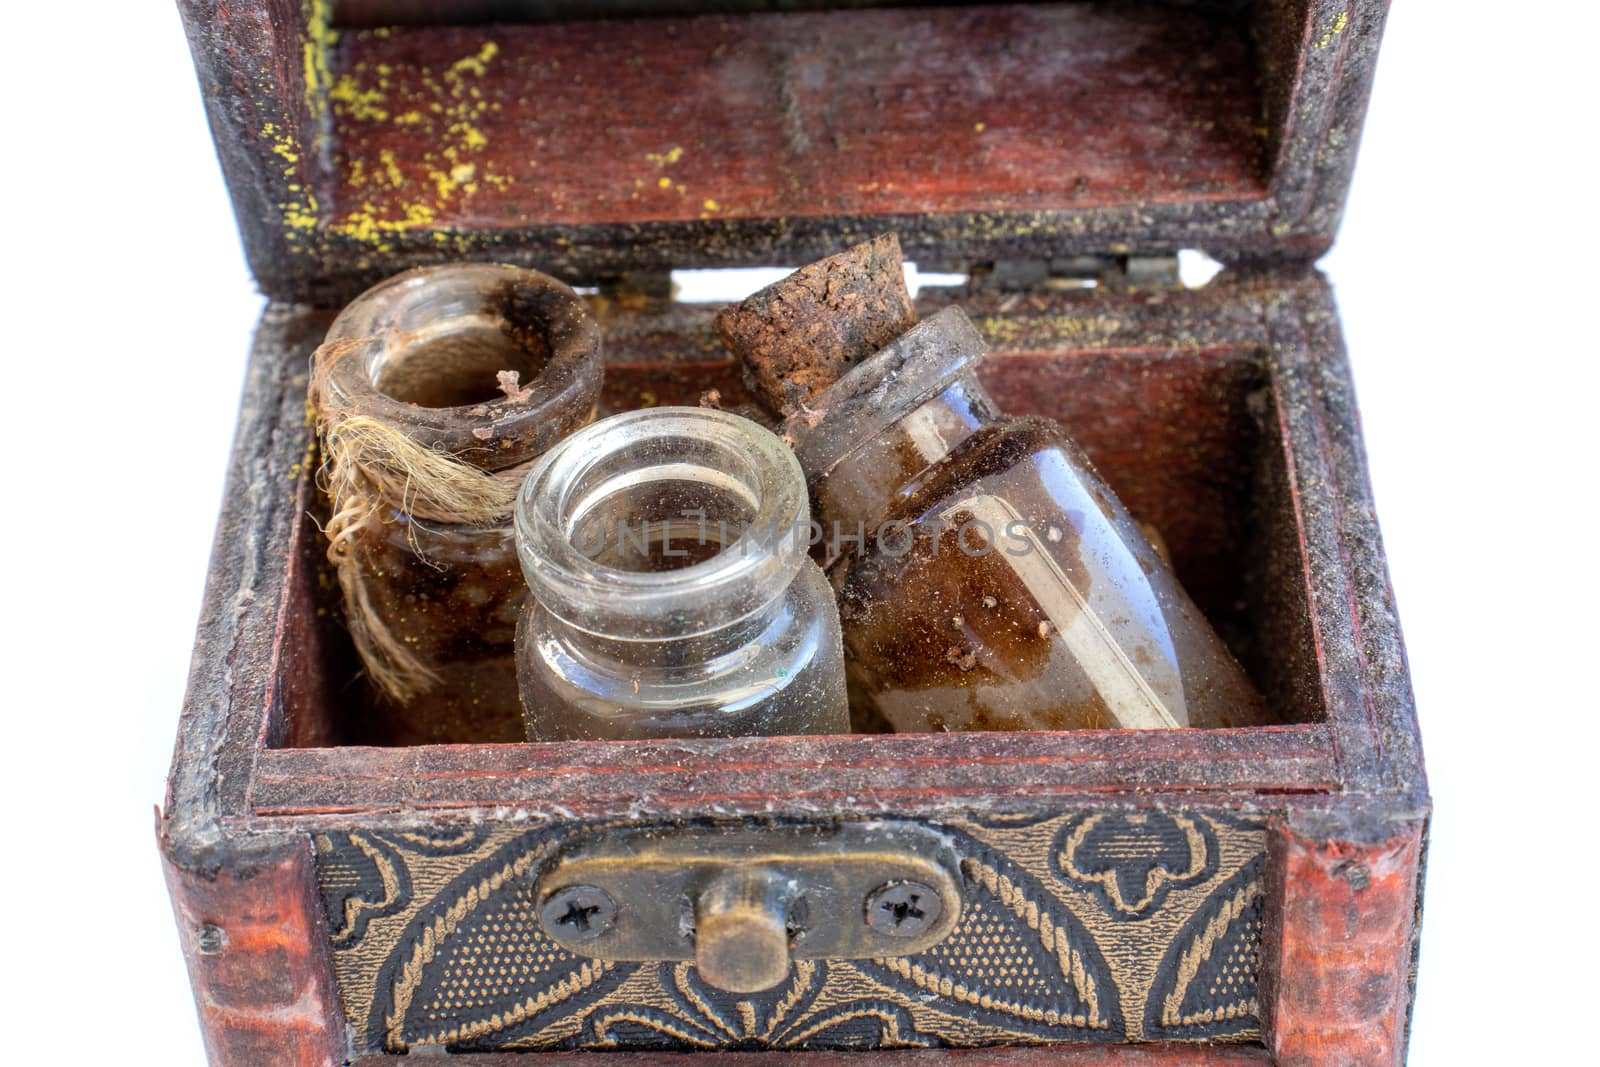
[1338,945]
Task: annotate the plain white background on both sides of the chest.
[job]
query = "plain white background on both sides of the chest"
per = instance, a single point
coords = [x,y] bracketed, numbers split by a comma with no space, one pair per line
[1465,273]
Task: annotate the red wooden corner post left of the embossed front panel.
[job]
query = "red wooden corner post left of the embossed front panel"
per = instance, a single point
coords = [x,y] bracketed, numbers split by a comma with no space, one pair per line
[263,977]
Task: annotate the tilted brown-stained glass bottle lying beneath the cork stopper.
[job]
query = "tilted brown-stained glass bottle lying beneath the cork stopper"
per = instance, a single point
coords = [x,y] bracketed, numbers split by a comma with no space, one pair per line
[986,577]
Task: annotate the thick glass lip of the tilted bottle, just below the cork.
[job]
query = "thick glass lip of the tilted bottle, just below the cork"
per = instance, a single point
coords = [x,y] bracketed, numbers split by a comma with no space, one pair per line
[884,388]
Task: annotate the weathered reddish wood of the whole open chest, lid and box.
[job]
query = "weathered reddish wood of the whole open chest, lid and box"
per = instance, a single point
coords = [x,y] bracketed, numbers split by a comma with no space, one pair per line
[985,134]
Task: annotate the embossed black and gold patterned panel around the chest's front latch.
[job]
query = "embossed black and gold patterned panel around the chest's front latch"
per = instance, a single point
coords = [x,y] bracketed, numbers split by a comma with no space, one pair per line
[1095,925]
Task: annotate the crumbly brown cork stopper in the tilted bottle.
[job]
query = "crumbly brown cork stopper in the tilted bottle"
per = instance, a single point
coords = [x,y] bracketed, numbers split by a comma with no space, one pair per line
[801,335]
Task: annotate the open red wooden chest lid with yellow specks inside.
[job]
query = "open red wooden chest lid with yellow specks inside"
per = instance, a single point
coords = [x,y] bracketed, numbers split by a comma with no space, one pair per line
[364,137]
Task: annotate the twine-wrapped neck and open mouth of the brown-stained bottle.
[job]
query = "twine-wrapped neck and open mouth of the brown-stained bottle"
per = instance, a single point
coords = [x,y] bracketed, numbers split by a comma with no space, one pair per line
[410,438]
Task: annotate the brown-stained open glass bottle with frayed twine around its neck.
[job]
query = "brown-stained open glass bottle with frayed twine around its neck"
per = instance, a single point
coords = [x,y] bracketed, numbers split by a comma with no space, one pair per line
[482,367]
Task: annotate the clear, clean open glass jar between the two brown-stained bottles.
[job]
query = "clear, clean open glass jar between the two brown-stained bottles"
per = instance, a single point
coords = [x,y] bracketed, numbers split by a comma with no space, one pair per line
[673,594]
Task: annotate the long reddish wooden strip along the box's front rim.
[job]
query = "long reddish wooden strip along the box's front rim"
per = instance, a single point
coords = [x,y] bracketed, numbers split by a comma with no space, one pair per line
[793,775]
